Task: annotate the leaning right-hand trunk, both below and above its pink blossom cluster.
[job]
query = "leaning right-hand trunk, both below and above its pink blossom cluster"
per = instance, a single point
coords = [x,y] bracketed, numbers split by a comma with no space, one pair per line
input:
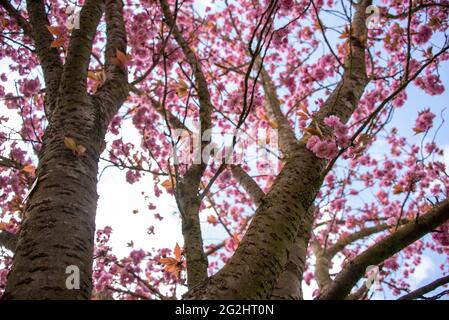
[253,271]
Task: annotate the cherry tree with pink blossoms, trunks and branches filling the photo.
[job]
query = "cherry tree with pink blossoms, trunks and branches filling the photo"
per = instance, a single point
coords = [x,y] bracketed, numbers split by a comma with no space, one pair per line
[317,183]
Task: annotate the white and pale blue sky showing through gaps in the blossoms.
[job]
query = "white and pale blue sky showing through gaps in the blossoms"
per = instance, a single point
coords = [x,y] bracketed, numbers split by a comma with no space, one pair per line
[122,206]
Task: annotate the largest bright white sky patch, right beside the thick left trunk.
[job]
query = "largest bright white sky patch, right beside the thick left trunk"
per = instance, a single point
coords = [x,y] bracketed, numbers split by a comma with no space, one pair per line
[116,203]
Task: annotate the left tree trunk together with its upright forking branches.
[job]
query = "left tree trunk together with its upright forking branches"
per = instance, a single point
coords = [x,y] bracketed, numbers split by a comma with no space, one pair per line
[59,224]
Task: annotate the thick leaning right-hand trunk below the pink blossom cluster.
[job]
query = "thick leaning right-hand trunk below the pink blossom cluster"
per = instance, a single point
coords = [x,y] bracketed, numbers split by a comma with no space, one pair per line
[253,271]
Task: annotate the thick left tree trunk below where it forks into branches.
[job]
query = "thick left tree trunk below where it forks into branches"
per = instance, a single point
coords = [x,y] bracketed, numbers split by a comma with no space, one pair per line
[59,225]
